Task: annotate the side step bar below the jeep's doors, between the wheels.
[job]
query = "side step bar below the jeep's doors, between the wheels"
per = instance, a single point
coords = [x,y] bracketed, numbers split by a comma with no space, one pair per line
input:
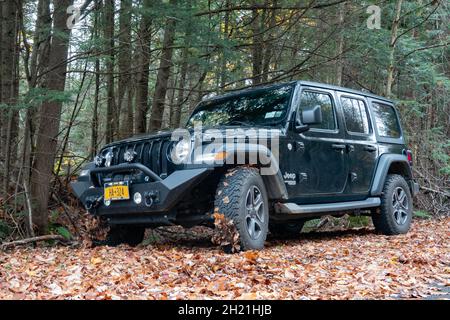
[306,209]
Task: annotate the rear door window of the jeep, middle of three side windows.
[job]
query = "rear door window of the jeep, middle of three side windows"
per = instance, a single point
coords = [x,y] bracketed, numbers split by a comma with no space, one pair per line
[356,115]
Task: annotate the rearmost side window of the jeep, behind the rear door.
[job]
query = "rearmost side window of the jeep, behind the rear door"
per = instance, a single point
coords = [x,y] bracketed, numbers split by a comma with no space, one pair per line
[386,120]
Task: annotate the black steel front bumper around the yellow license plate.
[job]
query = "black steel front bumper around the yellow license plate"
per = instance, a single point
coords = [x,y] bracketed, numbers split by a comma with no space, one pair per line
[157,197]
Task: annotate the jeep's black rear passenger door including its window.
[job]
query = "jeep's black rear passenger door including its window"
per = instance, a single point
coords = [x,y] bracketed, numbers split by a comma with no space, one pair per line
[361,141]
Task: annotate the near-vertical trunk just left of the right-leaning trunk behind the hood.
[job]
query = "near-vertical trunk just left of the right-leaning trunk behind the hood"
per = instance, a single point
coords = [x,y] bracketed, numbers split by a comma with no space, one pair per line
[144,37]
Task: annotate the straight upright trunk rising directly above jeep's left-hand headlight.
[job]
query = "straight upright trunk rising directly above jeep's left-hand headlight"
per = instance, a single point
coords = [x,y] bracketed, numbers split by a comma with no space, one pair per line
[111,110]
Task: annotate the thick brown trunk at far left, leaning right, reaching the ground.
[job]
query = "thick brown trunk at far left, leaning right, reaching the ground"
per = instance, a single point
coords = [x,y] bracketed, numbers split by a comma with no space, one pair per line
[50,116]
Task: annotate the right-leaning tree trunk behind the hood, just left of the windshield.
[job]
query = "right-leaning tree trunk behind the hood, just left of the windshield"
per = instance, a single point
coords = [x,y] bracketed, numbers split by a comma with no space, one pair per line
[162,79]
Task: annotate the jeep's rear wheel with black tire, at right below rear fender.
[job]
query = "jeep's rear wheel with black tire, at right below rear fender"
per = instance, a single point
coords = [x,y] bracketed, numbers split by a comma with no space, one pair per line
[386,220]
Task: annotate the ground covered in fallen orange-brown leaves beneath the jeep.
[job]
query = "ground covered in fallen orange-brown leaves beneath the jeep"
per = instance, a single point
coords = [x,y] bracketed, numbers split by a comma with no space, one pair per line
[352,264]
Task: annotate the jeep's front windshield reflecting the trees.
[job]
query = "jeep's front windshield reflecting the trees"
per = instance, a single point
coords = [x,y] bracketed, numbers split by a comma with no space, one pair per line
[261,108]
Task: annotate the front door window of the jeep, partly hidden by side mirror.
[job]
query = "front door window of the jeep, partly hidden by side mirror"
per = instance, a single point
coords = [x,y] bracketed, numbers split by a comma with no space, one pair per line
[310,99]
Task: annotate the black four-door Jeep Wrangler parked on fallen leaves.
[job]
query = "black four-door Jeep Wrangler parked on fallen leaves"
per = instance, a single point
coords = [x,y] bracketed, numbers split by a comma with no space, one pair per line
[269,158]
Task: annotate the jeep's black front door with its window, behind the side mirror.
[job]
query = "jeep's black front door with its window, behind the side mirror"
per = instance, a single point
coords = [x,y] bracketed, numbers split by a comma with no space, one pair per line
[320,156]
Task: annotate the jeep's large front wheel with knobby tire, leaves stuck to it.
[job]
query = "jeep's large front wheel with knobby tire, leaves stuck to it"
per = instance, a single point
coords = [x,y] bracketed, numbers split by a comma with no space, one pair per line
[230,200]
